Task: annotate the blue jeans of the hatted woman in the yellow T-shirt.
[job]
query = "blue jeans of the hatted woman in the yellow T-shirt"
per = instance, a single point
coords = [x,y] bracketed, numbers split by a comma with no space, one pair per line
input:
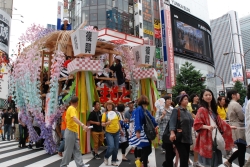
[113,145]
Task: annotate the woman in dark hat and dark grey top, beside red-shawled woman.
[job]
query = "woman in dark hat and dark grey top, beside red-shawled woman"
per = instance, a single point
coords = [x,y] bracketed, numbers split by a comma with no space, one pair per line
[180,127]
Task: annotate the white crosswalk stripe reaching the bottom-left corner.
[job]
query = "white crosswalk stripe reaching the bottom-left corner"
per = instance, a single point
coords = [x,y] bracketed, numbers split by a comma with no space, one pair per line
[22,158]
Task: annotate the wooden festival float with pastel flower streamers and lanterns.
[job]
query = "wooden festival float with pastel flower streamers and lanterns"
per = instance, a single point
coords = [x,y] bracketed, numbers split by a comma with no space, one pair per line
[60,64]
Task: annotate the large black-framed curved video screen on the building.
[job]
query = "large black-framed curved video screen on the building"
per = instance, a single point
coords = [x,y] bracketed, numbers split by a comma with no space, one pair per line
[191,37]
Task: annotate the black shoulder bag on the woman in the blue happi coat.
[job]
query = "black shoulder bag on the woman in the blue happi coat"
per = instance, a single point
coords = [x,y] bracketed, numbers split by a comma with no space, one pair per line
[149,127]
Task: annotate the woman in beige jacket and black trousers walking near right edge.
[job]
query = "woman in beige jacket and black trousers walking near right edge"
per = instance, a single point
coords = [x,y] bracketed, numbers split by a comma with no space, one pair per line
[236,118]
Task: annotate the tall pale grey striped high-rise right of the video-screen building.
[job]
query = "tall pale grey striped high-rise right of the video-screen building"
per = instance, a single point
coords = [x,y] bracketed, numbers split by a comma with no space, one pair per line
[226,38]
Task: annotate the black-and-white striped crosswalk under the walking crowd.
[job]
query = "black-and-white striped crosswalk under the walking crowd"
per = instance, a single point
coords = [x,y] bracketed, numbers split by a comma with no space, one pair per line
[39,158]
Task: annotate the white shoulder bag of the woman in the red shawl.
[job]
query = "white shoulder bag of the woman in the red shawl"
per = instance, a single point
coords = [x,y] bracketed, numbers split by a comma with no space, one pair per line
[216,135]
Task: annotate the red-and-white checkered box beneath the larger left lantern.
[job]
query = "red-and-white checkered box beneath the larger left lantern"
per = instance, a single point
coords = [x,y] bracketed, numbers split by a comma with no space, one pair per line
[81,64]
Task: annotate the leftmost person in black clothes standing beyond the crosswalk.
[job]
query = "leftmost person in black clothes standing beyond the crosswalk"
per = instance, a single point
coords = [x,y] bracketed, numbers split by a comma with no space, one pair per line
[8,123]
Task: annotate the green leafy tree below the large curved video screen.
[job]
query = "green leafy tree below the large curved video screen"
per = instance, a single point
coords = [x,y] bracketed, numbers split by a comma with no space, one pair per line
[188,80]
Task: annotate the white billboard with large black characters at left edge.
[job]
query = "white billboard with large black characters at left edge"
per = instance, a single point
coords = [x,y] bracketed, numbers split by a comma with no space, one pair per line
[5,21]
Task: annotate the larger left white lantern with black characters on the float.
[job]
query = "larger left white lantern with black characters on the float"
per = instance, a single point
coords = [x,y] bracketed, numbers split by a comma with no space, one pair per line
[84,42]
